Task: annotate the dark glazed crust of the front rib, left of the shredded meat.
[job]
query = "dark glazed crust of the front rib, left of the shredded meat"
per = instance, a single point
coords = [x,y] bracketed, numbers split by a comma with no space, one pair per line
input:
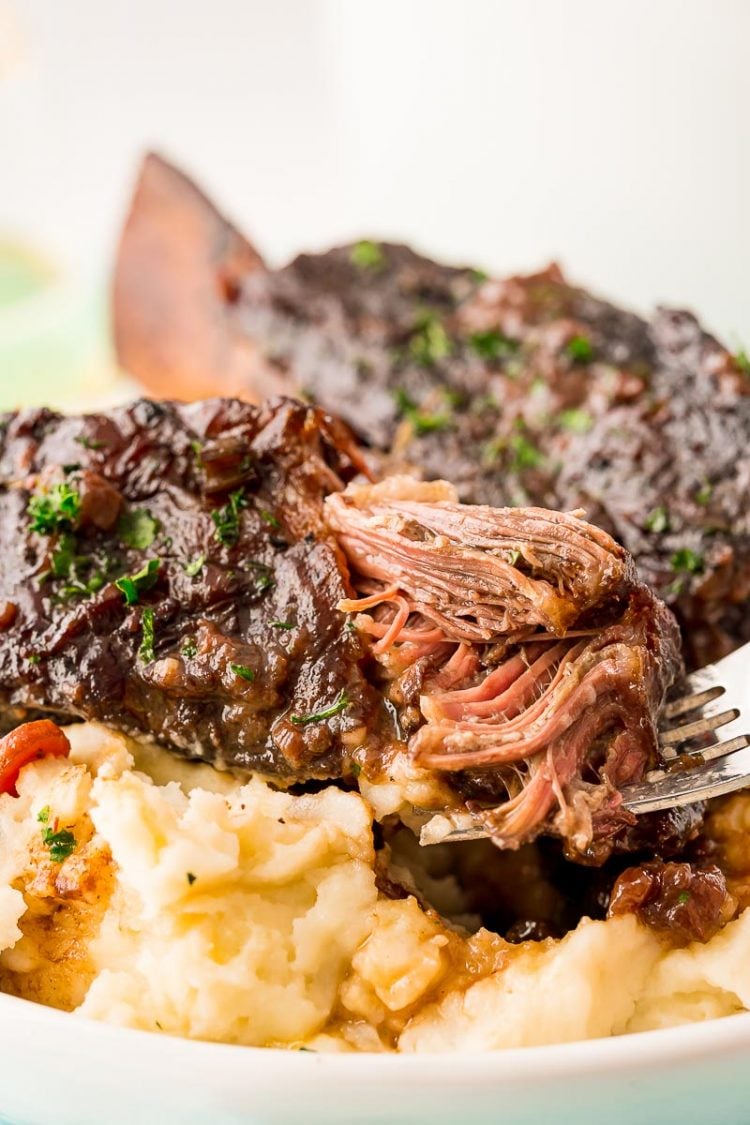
[171,575]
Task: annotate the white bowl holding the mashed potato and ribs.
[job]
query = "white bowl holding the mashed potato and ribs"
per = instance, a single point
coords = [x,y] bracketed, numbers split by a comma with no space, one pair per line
[61,1069]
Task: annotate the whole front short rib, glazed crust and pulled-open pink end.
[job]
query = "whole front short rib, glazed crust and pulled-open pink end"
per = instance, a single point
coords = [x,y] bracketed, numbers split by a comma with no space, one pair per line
[224,579]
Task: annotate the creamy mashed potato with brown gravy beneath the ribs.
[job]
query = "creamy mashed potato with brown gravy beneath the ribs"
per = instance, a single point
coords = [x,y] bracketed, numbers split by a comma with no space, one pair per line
[179,901]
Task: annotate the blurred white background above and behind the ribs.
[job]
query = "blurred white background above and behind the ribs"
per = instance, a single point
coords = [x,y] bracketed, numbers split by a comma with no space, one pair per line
[615,138]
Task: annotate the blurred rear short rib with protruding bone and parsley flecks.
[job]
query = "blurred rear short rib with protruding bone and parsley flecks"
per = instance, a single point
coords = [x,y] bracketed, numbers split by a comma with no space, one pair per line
[528,391]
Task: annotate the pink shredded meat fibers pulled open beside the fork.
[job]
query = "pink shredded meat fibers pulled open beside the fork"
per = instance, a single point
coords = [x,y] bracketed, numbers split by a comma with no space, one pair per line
[538,661]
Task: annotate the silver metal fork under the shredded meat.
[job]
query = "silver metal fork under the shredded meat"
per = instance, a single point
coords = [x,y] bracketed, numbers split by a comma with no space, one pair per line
[697,763]
